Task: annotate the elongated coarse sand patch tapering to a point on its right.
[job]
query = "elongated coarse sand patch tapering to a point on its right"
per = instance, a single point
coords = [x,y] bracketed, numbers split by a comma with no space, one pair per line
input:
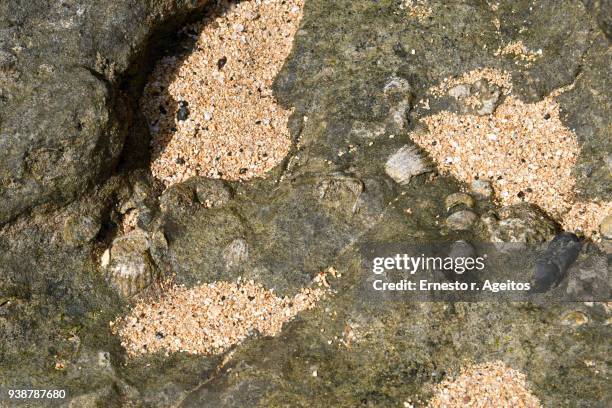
[210,318]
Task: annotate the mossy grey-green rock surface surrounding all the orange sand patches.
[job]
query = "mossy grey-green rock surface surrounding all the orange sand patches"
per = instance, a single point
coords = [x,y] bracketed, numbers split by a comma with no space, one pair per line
[354,75]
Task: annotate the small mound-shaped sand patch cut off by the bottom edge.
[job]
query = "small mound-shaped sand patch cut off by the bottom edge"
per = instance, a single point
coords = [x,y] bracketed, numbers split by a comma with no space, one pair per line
[487,385]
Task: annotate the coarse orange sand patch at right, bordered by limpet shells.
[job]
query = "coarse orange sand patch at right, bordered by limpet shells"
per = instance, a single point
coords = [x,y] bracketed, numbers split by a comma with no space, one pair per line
[523,149]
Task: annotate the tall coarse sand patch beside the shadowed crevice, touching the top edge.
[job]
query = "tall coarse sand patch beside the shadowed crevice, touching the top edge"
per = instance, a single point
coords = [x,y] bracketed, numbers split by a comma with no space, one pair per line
[213,113]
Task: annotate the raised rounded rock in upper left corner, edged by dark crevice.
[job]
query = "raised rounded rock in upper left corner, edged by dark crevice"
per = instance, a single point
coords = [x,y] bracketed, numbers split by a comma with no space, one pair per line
[63,112]
